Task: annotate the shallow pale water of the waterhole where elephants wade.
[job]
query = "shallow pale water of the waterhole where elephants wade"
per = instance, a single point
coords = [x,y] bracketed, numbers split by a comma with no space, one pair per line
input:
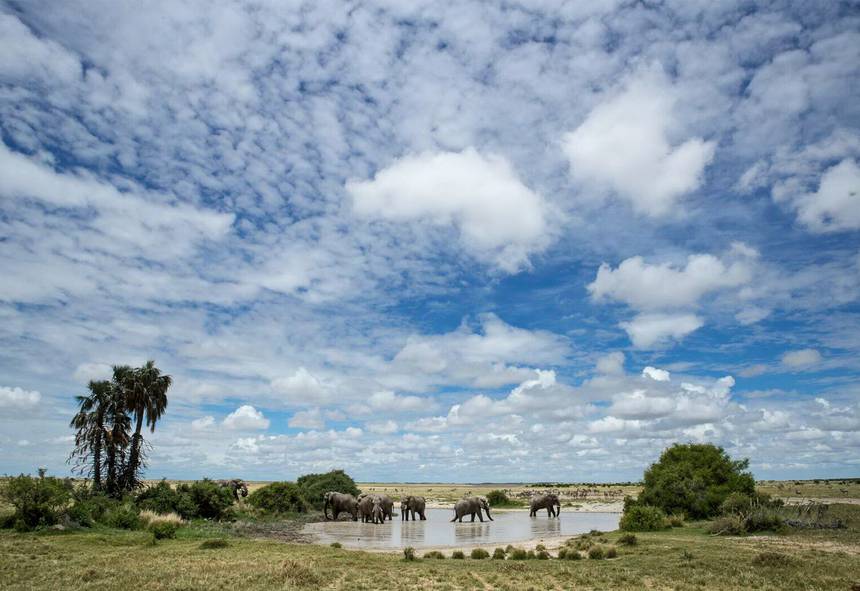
[508,527]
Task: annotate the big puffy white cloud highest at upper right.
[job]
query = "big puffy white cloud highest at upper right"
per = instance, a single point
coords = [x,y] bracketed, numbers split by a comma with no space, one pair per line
[625,144]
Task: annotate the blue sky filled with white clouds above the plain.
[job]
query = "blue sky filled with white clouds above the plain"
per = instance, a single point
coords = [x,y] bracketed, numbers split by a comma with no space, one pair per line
[435,241]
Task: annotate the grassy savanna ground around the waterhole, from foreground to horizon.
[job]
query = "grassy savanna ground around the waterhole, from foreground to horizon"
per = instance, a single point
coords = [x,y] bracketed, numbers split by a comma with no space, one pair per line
[271,553]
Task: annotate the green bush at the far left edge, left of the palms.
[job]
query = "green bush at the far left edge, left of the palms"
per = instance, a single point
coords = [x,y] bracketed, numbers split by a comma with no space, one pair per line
[37,501]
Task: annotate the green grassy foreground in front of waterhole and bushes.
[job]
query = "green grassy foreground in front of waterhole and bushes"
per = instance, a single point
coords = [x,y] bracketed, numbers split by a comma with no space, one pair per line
[681,558]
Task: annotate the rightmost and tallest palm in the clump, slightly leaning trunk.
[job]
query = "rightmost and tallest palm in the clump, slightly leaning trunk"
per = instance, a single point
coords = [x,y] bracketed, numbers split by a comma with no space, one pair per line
[146,397]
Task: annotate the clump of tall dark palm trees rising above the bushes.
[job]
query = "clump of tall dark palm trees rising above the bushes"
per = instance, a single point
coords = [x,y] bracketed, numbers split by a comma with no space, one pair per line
[106,449]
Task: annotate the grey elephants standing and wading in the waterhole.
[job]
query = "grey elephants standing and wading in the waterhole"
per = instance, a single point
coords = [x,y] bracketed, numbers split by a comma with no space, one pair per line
[372,508]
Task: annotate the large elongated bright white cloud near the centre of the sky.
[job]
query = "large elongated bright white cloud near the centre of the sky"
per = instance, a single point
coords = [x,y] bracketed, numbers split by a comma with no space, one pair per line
[498,217]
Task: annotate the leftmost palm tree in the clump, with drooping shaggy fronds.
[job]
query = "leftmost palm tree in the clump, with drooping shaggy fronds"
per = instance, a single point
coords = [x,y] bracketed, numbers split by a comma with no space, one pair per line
[89,422]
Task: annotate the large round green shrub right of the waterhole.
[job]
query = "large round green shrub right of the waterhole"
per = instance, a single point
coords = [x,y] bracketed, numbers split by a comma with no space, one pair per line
[694,479]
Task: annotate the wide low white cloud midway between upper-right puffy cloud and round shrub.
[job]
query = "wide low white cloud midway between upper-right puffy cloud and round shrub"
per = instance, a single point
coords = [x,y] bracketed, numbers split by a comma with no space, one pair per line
[658,286]
